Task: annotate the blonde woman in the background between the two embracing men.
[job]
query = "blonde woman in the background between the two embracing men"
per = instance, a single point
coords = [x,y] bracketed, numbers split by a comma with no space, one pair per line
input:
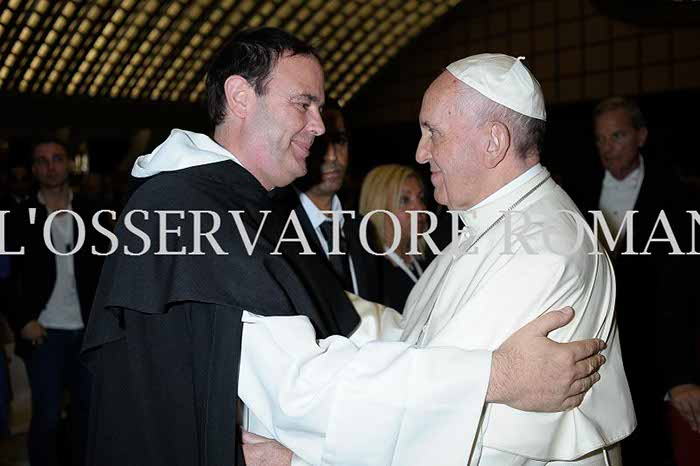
[397,189]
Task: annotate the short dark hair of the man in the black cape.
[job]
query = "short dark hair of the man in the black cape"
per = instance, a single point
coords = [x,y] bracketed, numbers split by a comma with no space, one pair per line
[251,54]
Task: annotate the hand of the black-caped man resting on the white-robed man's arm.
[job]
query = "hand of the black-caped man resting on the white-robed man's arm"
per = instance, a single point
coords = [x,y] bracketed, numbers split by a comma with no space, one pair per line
[530,372]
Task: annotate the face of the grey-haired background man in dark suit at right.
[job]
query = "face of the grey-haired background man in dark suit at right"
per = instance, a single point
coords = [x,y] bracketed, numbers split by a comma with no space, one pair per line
[618,142]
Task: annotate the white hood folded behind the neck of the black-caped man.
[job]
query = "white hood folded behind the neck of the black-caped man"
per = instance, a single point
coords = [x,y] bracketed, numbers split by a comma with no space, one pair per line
[182,149]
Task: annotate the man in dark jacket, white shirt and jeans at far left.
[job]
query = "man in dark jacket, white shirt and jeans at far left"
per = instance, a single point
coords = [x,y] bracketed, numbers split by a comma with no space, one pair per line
[54,295]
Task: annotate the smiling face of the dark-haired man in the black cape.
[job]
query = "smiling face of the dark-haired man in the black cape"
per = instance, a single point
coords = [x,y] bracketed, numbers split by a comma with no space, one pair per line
[288,118]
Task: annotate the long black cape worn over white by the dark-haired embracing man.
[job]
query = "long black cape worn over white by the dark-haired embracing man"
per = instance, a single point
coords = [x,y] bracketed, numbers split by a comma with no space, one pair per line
[164,337]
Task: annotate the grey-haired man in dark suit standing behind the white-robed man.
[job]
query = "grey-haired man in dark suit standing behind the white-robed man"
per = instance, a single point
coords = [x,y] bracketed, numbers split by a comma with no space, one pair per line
[631,188]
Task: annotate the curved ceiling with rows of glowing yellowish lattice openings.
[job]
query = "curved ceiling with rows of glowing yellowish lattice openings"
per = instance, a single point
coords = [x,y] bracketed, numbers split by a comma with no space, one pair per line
[159,51]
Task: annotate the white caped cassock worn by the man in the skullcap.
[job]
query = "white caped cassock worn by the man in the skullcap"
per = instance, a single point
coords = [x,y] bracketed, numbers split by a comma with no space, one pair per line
[537,259]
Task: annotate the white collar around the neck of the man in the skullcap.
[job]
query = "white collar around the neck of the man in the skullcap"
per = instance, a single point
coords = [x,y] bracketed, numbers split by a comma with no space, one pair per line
[482,215]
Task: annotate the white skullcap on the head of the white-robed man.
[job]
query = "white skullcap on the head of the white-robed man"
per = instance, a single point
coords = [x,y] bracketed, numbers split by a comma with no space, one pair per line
[504,80]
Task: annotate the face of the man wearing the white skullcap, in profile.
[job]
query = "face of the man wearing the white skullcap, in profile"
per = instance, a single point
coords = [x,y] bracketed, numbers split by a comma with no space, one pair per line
[448,143]
